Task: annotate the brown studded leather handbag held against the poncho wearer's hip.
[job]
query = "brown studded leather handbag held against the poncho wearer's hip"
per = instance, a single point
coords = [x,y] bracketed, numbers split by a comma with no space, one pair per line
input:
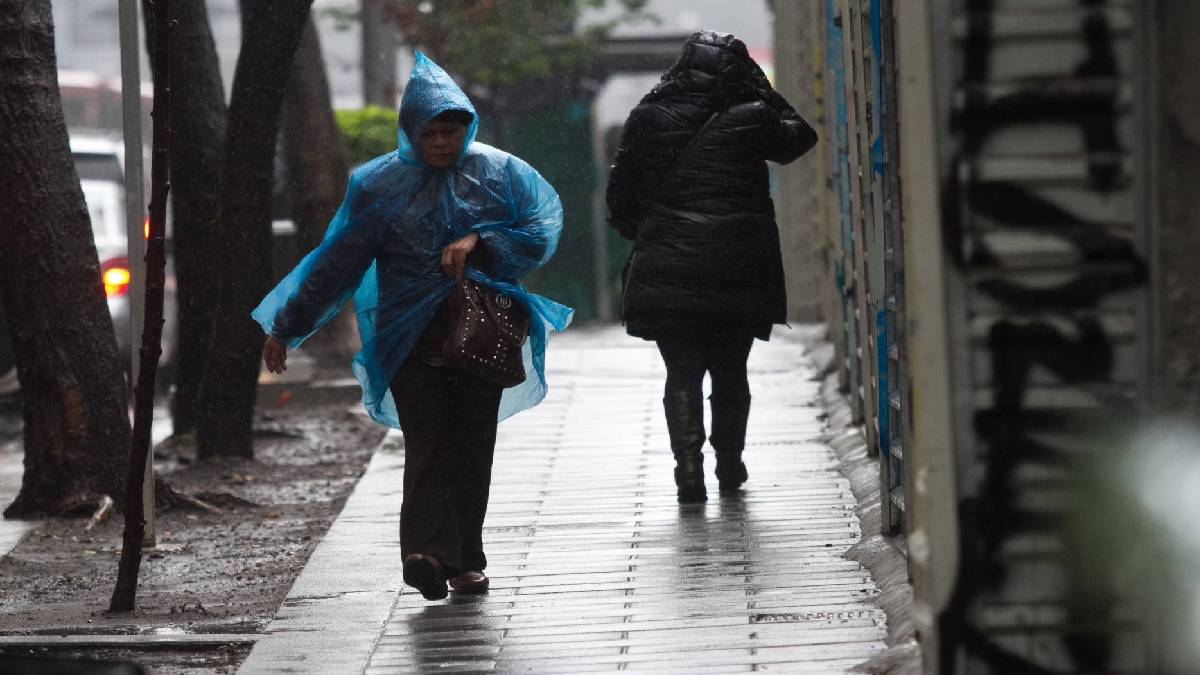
[487,332]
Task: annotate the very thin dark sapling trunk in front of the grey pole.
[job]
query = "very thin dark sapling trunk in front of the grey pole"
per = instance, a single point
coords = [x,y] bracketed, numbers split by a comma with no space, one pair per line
[125,593]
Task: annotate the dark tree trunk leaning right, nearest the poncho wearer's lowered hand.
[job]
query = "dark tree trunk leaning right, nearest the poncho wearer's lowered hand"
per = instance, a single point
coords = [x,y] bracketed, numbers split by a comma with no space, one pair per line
[229,387]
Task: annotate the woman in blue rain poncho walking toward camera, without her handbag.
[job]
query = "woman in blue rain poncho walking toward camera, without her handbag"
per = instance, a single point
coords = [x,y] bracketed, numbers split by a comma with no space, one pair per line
[440,208]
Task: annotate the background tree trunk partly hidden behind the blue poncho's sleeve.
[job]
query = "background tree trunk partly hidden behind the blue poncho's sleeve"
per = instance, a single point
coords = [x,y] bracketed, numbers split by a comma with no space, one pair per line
[317,176]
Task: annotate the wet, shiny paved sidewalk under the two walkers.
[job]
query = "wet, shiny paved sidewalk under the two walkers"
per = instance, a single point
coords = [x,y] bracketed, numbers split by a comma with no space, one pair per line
[595,566]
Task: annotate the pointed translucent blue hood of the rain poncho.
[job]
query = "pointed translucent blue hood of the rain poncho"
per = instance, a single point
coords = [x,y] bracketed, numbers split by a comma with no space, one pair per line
[430,92]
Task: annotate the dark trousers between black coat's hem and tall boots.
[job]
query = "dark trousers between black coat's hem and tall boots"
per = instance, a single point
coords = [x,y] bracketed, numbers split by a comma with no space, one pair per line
[723,357]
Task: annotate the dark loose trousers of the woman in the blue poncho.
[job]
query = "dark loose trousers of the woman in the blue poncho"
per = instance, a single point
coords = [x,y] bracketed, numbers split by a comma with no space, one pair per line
[448,420]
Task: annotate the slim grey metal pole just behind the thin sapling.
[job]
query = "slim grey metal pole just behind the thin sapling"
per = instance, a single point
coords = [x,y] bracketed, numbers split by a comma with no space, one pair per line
[135,210]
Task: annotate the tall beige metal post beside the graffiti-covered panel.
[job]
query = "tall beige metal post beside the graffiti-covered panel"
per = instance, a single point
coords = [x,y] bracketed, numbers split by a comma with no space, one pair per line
[929,438]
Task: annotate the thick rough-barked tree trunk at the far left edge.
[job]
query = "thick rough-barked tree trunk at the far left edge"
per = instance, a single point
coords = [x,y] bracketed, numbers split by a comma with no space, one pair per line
[77,431]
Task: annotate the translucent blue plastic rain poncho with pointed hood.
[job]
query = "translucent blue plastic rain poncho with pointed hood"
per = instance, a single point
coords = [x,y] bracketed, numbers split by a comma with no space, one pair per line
[385,248]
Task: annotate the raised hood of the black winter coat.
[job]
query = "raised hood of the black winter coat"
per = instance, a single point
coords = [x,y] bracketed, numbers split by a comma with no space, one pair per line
[715,64]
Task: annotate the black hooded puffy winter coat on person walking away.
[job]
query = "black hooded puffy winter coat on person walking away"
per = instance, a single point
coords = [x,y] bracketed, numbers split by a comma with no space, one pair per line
[692,192]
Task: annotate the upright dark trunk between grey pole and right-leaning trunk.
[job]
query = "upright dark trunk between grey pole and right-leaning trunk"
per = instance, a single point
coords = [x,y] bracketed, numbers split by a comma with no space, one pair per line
[199,127]
